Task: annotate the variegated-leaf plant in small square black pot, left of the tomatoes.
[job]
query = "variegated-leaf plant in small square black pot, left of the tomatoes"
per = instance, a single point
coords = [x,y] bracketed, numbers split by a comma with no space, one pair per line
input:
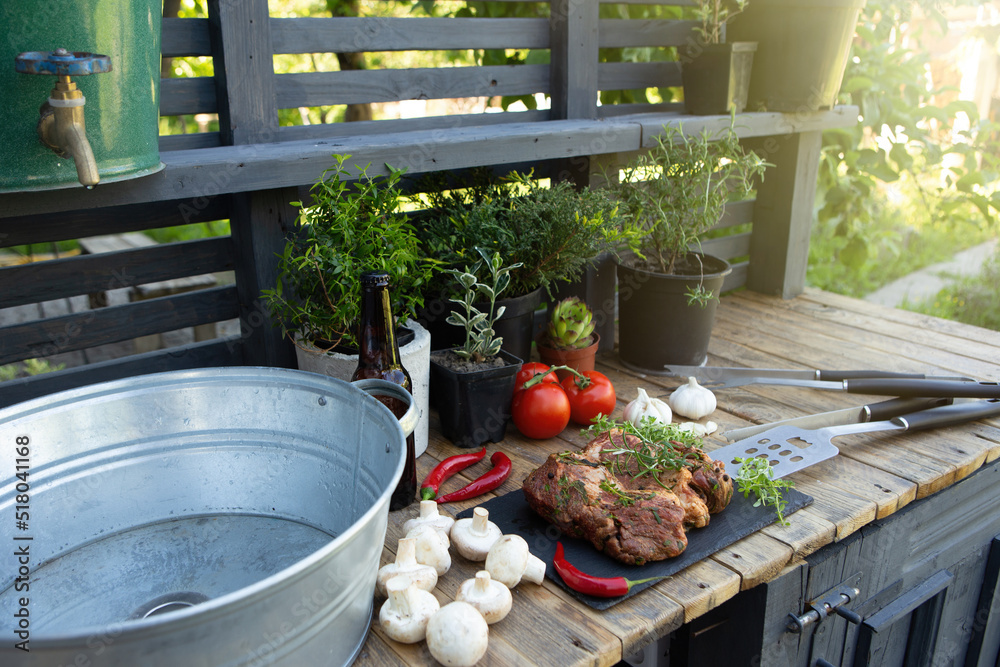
[473,384]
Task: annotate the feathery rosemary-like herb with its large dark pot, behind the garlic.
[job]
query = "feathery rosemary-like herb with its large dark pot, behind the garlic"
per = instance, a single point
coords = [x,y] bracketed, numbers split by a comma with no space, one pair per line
[667,291]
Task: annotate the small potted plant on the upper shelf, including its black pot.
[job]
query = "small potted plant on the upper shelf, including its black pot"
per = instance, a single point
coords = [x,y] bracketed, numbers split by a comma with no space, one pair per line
[716,72]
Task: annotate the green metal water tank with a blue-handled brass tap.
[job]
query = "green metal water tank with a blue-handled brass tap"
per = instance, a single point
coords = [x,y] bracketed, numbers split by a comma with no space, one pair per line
[120,103]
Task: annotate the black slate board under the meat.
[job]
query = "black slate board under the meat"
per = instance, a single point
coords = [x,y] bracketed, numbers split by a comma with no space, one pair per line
[513,515]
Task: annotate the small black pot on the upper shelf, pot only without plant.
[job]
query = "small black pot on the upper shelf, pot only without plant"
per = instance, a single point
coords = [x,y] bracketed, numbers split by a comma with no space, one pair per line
[716,77]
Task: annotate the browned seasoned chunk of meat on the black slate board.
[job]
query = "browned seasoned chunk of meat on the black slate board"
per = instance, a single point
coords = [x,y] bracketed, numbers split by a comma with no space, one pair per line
[631,499]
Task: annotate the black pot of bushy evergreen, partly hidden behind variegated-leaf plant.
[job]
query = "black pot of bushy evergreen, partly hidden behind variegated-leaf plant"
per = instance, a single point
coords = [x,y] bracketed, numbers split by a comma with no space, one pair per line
[516,325]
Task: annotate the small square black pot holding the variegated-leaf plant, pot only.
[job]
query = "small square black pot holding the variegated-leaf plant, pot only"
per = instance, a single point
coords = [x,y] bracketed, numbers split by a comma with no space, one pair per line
[474,407]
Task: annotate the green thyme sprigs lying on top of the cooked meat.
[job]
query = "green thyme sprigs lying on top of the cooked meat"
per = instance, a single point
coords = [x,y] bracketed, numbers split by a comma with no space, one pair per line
[663,447]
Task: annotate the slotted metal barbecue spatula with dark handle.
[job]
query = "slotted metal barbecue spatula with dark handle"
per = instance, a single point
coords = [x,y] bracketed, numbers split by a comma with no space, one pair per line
[792,448]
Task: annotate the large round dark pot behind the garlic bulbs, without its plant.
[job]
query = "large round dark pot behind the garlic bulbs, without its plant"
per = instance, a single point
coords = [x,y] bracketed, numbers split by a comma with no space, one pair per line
[656,325]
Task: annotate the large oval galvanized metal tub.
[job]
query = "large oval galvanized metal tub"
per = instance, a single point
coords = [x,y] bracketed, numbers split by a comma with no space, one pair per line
[212,517]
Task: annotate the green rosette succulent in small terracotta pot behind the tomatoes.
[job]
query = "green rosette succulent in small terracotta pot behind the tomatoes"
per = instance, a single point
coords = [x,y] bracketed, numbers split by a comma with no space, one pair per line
[569,339]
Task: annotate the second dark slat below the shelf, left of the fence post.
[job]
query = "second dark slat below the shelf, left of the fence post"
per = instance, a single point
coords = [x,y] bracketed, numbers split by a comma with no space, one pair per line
[81,275]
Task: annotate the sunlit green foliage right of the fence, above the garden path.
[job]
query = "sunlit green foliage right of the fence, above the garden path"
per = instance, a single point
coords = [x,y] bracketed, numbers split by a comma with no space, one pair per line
[905,187]
